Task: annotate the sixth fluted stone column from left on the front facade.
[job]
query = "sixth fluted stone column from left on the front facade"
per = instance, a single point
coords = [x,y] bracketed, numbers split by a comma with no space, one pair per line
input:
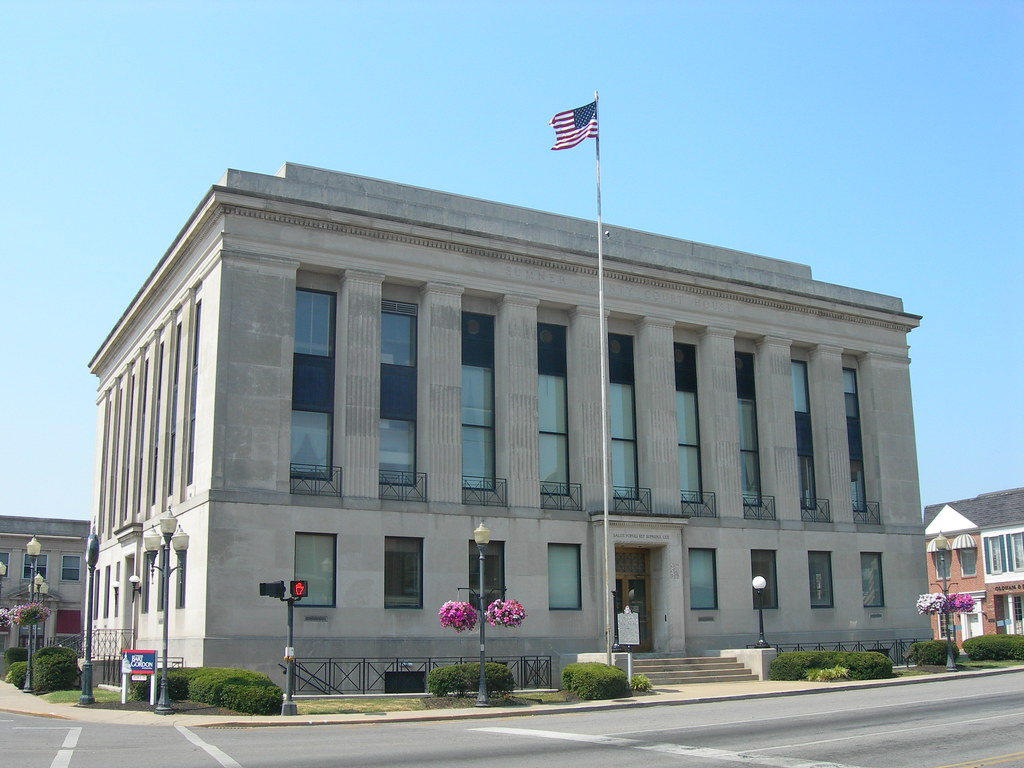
[719,419]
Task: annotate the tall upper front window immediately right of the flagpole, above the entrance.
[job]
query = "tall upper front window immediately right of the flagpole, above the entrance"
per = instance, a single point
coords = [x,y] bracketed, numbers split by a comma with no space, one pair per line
[622,413]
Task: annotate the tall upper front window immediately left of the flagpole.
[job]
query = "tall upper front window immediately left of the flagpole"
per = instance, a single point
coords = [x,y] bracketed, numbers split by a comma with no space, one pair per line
[552,409]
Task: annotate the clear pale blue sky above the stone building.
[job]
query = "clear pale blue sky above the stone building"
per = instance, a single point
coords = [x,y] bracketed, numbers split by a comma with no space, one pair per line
[879,143]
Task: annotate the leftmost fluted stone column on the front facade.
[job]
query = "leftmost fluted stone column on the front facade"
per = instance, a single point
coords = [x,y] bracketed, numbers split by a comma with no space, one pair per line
[359,366]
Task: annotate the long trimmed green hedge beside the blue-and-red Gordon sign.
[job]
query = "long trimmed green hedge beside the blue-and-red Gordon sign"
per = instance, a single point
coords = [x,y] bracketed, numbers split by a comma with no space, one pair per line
[242,691]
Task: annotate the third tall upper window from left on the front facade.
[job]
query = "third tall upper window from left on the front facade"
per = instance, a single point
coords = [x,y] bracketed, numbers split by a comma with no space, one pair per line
[478,397]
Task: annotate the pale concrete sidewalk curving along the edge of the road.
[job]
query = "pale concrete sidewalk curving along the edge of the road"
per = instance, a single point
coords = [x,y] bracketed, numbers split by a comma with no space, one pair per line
[15,701]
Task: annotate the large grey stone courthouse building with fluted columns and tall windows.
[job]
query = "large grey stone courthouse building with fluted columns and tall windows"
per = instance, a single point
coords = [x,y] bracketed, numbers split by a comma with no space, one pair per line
[336,378]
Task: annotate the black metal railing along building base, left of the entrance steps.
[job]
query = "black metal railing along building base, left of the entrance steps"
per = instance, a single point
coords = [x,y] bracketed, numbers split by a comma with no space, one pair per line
[351,676]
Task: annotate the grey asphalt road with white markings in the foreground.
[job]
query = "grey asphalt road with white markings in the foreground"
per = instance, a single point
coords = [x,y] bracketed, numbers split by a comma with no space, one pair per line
[958,723]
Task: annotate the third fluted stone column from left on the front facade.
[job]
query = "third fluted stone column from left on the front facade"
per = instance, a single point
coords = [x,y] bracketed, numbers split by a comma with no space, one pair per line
[516,401]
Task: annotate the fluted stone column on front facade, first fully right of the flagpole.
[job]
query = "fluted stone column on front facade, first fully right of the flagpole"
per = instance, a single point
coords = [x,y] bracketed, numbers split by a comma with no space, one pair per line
[656,413]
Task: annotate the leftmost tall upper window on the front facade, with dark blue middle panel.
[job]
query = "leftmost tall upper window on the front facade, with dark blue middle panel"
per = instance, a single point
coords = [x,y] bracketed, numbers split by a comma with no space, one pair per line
[313,383]
